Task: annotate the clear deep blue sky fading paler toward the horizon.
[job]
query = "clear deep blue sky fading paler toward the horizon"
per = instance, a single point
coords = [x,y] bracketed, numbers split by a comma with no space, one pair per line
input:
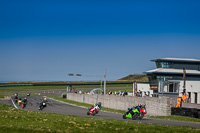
[46,40]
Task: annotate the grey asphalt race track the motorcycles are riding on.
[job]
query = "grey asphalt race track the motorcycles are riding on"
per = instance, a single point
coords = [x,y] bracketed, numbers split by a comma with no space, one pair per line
[64,108]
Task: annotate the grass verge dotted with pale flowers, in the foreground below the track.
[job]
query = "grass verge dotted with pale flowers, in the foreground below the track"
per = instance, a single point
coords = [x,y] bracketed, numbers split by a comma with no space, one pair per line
[21,121]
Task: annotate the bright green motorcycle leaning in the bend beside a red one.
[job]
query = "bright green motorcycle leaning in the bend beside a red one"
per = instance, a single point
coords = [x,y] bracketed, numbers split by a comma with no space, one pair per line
[132,113]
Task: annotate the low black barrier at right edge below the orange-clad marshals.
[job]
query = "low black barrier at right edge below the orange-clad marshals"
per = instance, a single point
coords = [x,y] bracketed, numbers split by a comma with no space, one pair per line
[189,112]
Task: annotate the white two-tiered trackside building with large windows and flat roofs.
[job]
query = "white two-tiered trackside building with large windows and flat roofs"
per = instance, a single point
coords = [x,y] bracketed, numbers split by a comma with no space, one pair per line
[173,77]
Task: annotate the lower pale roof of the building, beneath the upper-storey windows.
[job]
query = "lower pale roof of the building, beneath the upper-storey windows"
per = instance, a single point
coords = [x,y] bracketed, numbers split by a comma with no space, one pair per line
[172,71]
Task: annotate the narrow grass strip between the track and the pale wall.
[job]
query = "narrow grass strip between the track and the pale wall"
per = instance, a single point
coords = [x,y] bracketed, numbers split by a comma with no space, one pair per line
[173,117]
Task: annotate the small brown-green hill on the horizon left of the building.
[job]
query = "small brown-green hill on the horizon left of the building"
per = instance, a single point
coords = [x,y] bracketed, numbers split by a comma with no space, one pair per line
[135,77]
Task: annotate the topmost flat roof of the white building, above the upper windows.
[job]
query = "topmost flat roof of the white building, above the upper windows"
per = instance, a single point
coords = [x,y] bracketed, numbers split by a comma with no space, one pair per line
[177,60]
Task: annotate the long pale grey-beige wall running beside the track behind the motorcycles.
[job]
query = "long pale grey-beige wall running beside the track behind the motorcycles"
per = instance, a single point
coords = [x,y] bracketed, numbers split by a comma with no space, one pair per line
[155,106]
